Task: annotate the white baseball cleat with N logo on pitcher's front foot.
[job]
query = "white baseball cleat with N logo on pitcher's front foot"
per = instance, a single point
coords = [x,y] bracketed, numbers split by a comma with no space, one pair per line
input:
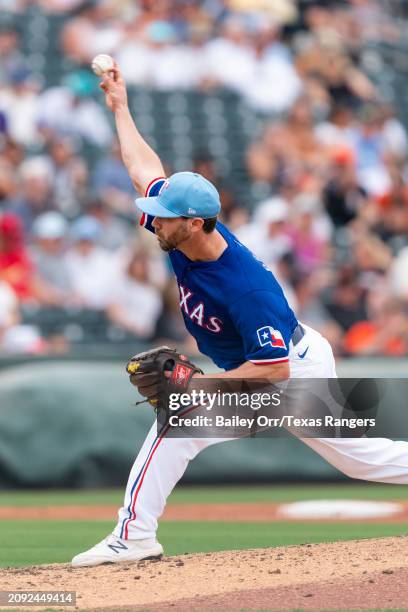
[116,550]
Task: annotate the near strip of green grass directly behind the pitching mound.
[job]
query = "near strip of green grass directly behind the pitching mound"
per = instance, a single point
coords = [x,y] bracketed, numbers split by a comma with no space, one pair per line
[33,542]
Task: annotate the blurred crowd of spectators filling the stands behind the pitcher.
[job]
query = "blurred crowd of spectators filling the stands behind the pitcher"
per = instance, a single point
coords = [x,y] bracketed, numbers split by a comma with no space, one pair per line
[330,161]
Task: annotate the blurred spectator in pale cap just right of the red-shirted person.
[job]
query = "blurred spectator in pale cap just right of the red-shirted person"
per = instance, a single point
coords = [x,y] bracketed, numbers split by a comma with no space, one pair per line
[48,254]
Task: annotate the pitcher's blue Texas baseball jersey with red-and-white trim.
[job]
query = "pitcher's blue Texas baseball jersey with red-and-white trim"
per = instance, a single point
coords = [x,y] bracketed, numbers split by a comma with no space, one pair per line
[234,306]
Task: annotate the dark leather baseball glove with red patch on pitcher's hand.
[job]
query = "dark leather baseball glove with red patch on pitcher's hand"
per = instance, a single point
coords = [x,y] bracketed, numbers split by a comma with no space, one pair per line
[159,372]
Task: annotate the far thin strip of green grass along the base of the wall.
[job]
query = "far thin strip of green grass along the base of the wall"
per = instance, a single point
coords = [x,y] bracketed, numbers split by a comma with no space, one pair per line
[202,495]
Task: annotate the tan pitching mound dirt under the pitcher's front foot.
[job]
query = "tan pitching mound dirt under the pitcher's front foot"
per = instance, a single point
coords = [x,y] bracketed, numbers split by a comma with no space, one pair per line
[355,574]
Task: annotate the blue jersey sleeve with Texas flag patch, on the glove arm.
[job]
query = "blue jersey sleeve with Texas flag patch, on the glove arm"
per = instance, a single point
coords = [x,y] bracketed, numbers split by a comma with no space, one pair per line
[263,322]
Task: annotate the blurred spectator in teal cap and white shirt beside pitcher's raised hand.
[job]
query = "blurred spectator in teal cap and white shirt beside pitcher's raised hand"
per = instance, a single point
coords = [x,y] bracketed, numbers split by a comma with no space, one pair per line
[71,110]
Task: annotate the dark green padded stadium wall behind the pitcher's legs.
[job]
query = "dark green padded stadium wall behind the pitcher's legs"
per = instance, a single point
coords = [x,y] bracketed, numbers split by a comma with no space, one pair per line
[72,423]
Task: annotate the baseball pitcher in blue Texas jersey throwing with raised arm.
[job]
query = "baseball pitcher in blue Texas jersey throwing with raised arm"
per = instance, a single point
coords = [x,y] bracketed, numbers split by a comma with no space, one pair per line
[238,314]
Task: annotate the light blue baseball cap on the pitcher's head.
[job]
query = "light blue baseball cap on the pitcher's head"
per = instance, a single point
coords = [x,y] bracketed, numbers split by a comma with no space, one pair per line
[184,194]
